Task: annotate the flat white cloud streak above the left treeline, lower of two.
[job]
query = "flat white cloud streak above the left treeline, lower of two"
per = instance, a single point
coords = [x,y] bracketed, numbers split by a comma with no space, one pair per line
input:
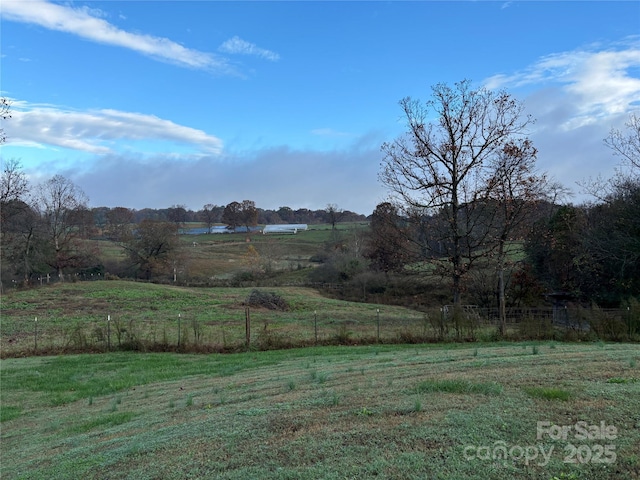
[100,132]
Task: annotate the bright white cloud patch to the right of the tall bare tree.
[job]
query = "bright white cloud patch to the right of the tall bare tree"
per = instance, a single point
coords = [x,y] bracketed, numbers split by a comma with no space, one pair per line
[576,98]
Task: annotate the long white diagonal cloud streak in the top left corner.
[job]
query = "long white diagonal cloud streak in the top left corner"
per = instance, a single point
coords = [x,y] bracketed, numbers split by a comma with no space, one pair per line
[89,24]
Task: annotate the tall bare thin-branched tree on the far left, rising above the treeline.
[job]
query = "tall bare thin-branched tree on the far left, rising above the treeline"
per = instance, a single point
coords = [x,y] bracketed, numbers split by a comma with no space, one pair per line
[57,199]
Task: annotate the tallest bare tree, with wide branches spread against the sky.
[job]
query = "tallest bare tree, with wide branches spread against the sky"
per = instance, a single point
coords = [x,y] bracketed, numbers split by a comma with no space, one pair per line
[443,166]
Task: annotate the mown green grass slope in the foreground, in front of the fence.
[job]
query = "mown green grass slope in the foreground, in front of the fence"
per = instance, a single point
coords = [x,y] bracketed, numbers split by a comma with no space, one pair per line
[403,412]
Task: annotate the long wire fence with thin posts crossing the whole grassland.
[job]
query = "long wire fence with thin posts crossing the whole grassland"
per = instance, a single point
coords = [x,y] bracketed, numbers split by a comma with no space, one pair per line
[263,329]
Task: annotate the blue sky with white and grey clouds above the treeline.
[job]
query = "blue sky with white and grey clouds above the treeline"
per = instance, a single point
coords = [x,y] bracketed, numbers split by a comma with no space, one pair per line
[149,104]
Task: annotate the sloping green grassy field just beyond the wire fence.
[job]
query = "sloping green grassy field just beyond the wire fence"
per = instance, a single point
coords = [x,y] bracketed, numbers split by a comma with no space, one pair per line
[103,315]
